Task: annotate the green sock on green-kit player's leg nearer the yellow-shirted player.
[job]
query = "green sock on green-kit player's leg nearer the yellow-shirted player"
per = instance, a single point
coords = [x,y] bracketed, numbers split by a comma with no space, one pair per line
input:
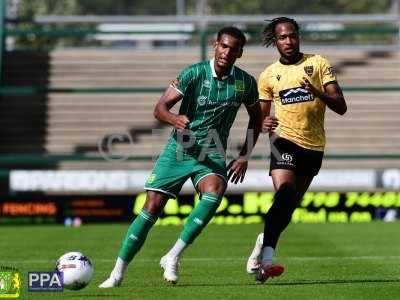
[200,216]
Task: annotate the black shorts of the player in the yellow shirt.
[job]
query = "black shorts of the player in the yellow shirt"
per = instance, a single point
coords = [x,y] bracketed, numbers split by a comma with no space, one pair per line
[290,156]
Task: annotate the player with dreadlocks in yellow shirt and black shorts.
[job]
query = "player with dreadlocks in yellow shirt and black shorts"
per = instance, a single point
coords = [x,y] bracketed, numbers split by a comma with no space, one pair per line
[300,86]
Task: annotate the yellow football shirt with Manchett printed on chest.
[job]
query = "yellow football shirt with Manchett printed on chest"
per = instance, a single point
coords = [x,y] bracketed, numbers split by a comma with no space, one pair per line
[300,114]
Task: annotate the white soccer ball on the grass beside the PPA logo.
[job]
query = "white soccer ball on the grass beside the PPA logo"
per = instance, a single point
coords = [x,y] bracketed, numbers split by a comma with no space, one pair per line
[77,270]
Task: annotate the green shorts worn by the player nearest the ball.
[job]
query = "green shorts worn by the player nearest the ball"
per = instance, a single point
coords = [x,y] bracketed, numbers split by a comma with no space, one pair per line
[174,167]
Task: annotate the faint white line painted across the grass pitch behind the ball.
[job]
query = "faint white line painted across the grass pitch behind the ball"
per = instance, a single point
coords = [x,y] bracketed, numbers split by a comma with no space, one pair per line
[219,259]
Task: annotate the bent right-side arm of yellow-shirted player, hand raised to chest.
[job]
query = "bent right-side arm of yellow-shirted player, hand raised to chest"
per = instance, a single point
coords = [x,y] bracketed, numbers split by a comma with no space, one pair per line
[333,96]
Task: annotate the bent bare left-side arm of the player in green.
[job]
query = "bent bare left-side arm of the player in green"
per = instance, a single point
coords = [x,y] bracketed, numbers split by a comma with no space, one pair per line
[162,110]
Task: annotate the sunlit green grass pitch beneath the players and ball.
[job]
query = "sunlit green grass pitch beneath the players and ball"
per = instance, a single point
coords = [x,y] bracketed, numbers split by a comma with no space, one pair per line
[323,261]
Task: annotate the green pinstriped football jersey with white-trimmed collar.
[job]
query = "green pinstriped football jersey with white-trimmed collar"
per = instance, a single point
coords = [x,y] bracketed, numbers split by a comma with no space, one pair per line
[212,104]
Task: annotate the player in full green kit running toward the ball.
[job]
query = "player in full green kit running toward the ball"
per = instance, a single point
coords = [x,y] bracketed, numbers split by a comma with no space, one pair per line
[211,92]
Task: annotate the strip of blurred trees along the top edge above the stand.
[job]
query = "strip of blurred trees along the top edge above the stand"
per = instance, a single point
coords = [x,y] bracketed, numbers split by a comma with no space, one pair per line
[168,7]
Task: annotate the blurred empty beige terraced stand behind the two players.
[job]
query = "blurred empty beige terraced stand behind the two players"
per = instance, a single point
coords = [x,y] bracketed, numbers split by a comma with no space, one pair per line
[71,123]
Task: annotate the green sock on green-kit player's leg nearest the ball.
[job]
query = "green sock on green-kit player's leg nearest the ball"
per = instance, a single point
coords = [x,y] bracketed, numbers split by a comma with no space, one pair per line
[136,235]
